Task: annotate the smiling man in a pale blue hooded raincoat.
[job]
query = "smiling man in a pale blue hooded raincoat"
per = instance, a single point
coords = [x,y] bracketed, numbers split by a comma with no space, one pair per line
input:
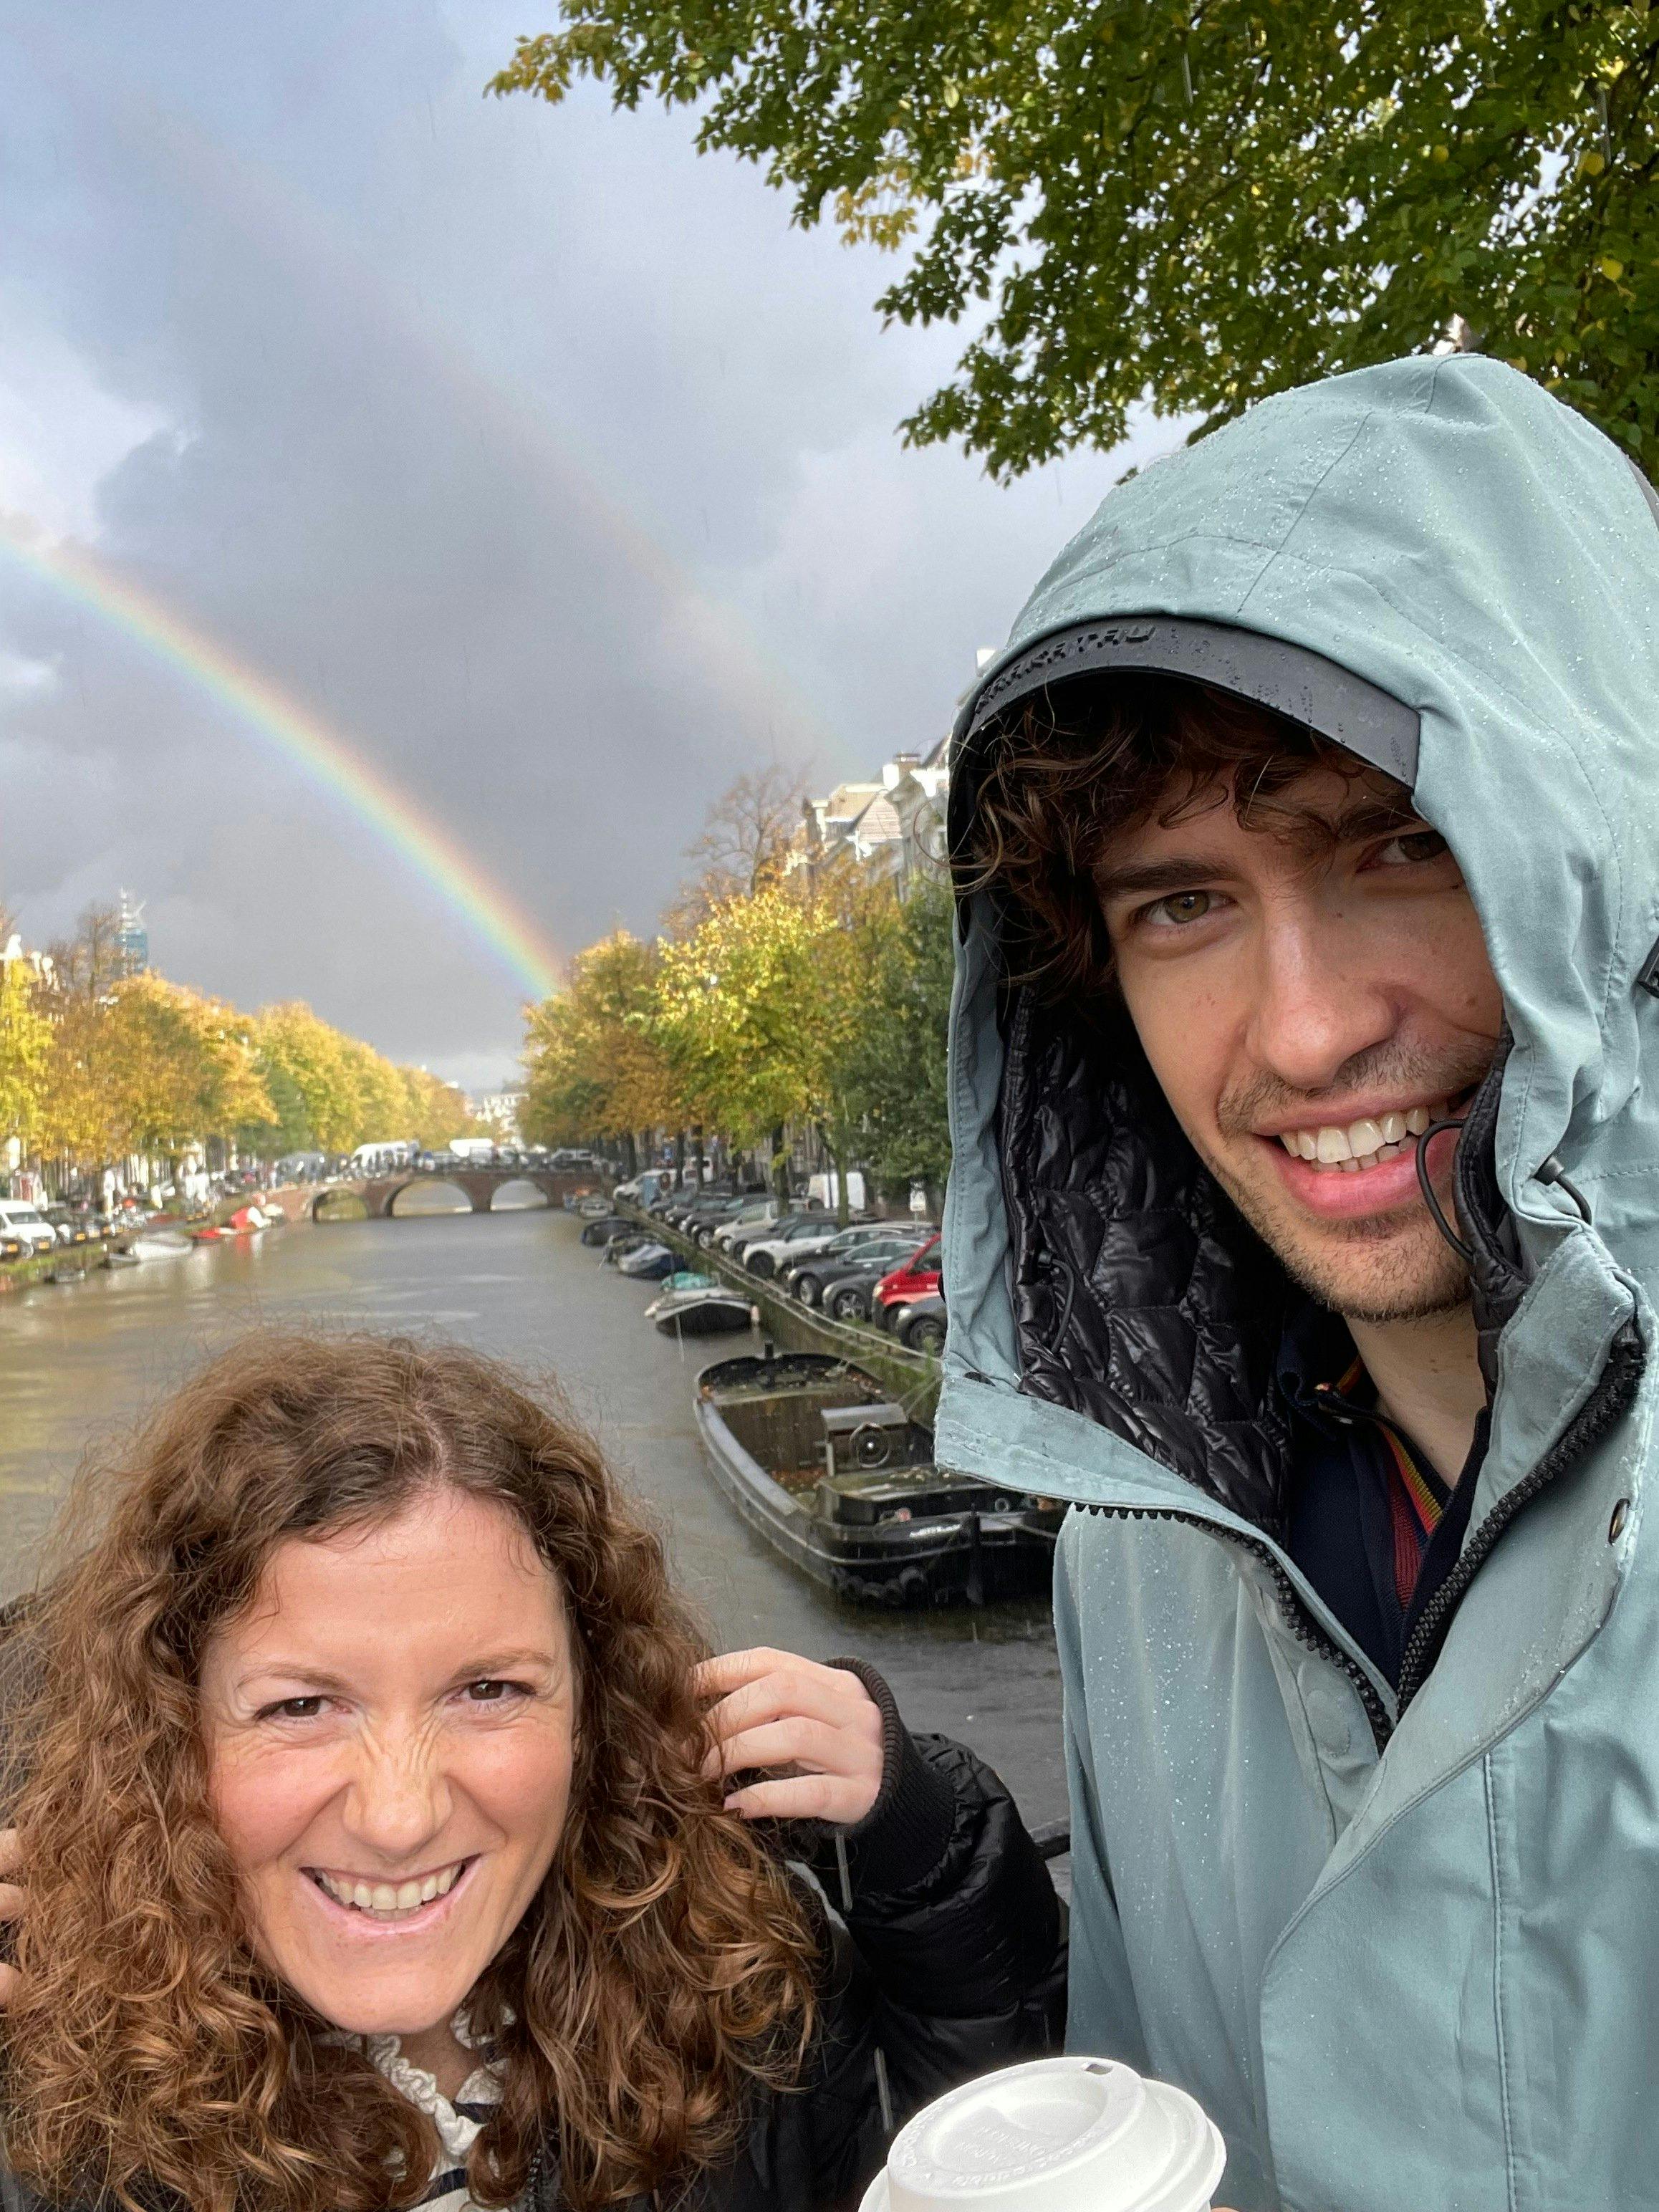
[1361,1711]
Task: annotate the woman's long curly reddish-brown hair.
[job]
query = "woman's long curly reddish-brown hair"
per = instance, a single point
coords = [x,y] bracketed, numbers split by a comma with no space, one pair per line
[662,1974]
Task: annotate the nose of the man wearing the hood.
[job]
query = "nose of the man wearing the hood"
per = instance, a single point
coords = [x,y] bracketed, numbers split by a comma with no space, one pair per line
[1315,1003]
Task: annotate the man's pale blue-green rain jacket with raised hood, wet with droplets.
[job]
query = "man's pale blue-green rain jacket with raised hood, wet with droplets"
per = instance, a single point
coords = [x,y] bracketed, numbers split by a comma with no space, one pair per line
[1408,1959]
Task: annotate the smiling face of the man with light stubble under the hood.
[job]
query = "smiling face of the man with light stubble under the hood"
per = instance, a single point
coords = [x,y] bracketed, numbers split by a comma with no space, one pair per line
[1311,994]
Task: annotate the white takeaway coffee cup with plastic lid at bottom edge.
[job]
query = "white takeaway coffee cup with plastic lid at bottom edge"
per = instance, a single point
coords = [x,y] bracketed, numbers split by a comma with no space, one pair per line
[1058,2136]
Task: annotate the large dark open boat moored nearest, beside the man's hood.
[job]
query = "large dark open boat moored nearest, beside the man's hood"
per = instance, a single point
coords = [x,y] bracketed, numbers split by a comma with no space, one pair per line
[842,1481]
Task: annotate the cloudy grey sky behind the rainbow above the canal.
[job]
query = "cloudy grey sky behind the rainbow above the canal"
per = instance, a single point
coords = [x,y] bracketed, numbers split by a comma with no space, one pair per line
[532,452]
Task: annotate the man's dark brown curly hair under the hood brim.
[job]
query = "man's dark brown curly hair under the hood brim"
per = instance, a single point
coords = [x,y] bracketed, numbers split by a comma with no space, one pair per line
[1094,760]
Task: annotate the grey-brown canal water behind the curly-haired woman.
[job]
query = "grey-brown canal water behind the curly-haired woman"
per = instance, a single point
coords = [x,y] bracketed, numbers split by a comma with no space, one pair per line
[81,1361]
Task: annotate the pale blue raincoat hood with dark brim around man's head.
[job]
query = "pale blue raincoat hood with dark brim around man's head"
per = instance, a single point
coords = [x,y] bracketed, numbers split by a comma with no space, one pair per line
[1450,572]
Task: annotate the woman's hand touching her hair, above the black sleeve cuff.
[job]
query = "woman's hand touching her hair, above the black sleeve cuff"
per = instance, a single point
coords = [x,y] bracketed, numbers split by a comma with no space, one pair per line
[815,1722]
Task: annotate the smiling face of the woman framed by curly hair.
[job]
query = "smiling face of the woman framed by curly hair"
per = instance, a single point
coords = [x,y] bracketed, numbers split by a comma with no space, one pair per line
[390,1738]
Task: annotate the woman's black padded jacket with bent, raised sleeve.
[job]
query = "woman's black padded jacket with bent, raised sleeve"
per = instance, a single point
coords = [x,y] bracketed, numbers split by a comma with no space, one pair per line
[946,1959]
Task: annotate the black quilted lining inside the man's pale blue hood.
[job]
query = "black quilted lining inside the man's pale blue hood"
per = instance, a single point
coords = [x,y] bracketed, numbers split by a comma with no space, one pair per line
[1140,1295]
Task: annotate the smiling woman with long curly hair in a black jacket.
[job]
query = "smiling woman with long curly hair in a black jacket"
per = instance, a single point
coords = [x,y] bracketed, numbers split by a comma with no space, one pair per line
[388,1837]
